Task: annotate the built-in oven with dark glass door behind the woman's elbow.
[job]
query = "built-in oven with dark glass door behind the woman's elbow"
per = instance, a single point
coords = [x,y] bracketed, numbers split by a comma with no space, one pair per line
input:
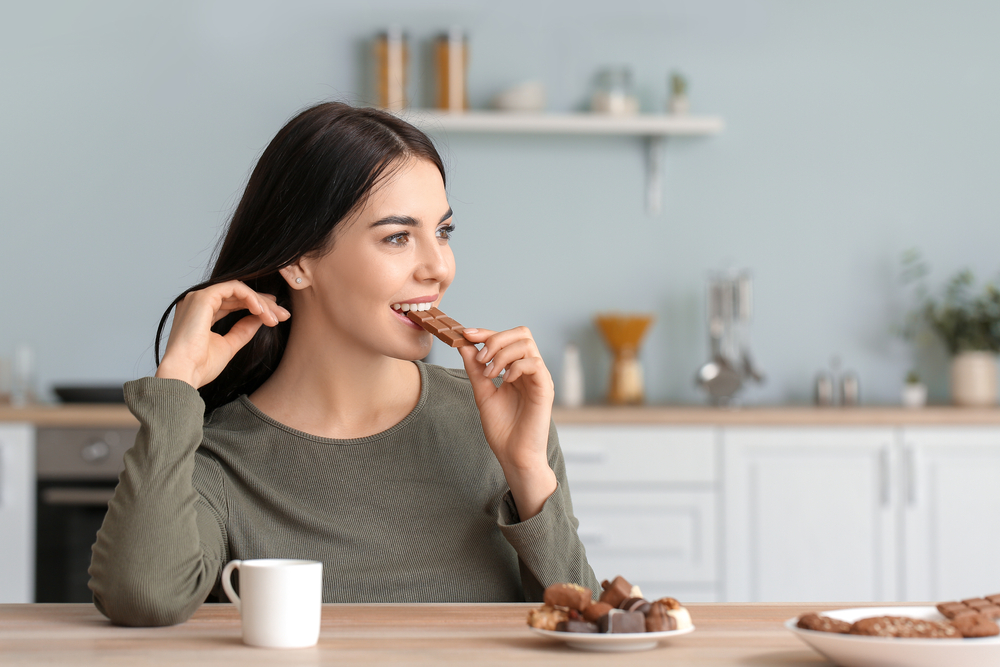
[77,474]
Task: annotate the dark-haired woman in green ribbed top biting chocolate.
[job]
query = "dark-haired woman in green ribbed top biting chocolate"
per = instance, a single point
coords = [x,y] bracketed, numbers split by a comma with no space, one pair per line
[289,417]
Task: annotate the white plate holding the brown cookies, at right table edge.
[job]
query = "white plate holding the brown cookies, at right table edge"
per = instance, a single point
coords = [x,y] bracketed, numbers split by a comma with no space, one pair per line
[859,651]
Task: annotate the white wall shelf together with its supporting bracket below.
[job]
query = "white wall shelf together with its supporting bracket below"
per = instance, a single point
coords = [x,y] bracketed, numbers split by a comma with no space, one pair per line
[653,128]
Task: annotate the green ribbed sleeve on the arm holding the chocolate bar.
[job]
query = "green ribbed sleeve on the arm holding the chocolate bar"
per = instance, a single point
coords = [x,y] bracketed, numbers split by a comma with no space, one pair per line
[548,548]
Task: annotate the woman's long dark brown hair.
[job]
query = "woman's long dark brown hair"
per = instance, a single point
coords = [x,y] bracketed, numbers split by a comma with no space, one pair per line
[316,171]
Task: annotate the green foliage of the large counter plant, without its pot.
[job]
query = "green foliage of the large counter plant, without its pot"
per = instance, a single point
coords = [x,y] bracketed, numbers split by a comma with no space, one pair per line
[965,321]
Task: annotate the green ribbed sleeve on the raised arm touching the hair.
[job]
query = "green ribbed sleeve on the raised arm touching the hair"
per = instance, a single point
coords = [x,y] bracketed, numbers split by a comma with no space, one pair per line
[162,545]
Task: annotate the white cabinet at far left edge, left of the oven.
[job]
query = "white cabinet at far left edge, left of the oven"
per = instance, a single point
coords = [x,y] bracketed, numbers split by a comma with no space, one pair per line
[17,513]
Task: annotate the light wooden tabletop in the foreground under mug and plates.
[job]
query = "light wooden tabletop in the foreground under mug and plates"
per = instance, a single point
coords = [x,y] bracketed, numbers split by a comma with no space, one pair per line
[370,634]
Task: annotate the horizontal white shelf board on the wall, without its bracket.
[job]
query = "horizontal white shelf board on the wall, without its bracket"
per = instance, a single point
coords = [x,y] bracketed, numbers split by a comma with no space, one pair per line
[646,125]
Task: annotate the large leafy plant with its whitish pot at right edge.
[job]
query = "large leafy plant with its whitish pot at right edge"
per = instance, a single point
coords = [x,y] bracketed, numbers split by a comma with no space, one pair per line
[969,325]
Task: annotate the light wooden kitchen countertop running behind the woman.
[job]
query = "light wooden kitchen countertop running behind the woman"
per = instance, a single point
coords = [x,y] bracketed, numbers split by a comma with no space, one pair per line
[107,416]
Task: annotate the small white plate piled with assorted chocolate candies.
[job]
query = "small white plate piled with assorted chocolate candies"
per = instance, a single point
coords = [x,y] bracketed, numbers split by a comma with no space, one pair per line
[620,620]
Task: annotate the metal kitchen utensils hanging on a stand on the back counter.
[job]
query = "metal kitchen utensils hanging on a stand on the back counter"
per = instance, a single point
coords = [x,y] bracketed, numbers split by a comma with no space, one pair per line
[730,307]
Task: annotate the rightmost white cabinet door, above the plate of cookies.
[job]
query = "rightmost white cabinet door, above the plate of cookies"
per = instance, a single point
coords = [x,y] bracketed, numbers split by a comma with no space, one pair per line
[951,494]
